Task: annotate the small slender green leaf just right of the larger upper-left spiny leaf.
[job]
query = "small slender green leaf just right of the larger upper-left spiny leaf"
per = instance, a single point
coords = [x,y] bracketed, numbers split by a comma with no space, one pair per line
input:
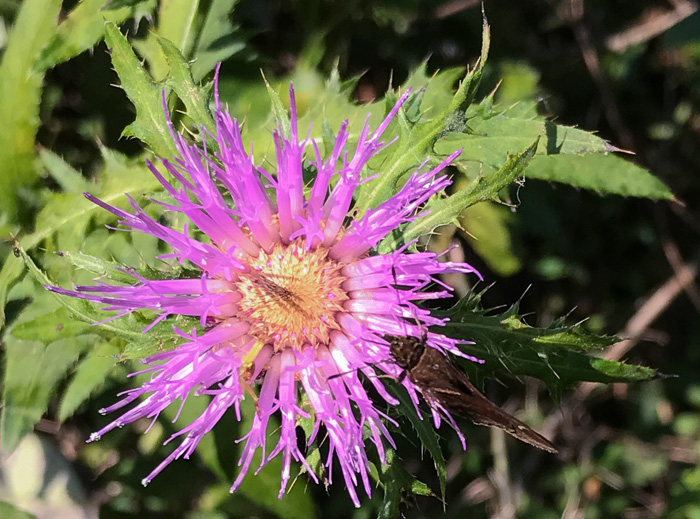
[181,82]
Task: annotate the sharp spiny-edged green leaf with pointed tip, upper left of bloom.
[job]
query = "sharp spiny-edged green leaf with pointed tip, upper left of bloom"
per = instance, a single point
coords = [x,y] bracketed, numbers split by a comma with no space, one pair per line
[150,125]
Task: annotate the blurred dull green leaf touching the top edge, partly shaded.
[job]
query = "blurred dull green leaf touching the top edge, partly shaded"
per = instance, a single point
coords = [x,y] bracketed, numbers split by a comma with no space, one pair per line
[218,39]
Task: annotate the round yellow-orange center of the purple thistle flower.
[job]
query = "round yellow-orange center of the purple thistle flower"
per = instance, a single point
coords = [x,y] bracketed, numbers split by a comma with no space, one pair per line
[291,296]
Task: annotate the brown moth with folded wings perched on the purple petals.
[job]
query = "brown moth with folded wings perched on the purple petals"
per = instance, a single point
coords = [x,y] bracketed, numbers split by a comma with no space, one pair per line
[443,384]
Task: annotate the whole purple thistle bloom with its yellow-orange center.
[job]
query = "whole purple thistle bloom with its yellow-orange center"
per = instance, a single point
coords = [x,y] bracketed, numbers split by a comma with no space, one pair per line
[288,298]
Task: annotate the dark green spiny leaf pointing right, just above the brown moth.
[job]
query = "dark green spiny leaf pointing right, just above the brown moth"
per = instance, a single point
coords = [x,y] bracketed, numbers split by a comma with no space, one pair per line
[555,355]
